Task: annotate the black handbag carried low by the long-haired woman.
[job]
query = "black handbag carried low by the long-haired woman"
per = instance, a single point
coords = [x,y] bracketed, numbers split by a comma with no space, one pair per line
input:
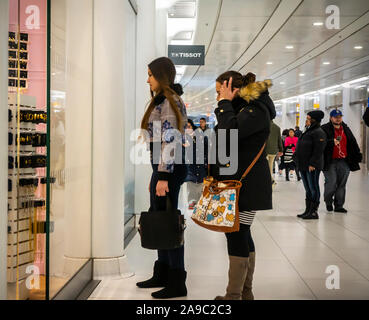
[162,230]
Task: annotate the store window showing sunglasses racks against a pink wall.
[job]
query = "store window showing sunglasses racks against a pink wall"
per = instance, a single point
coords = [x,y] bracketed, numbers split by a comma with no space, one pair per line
[27,83]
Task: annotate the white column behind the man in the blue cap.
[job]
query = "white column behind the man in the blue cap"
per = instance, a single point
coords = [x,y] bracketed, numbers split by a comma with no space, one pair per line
[352,115]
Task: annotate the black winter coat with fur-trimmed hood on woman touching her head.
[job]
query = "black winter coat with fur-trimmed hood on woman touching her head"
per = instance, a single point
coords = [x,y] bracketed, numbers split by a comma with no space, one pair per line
[252,119]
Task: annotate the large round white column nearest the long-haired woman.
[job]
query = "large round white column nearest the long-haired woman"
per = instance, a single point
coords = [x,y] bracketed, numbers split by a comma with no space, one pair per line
[108,139]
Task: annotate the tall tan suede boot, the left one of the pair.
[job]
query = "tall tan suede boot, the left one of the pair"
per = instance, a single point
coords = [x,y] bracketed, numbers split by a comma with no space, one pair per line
[236,278]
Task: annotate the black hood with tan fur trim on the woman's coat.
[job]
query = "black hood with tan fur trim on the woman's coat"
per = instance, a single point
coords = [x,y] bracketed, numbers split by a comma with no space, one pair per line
[259,91]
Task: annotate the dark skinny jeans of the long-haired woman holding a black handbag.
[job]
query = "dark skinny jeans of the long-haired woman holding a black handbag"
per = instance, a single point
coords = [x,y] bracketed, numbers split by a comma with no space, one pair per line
[173,258]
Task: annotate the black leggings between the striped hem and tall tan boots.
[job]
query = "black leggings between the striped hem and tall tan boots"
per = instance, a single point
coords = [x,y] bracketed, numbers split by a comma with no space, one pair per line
[240,243]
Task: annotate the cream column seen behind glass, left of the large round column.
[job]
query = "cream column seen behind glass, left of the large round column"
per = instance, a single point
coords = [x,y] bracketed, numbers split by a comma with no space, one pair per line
[78,126]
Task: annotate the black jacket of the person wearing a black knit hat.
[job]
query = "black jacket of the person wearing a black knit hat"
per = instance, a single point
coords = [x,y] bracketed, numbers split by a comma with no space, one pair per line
[310,148]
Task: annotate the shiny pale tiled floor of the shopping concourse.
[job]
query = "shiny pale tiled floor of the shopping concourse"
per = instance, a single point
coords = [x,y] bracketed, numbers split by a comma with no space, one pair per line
[292,255]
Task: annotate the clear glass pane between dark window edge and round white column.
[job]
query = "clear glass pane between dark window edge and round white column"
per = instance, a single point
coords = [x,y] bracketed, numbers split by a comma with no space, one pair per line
[70,139]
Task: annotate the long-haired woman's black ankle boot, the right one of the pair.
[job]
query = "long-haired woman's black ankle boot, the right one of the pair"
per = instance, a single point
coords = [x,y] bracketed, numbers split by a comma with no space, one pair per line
[176,286]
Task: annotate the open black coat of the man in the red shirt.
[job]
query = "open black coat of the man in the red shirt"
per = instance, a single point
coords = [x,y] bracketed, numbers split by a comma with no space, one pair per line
[354,156]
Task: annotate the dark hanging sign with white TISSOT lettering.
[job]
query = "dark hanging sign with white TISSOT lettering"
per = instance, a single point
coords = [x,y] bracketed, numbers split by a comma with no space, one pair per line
[187,55]
